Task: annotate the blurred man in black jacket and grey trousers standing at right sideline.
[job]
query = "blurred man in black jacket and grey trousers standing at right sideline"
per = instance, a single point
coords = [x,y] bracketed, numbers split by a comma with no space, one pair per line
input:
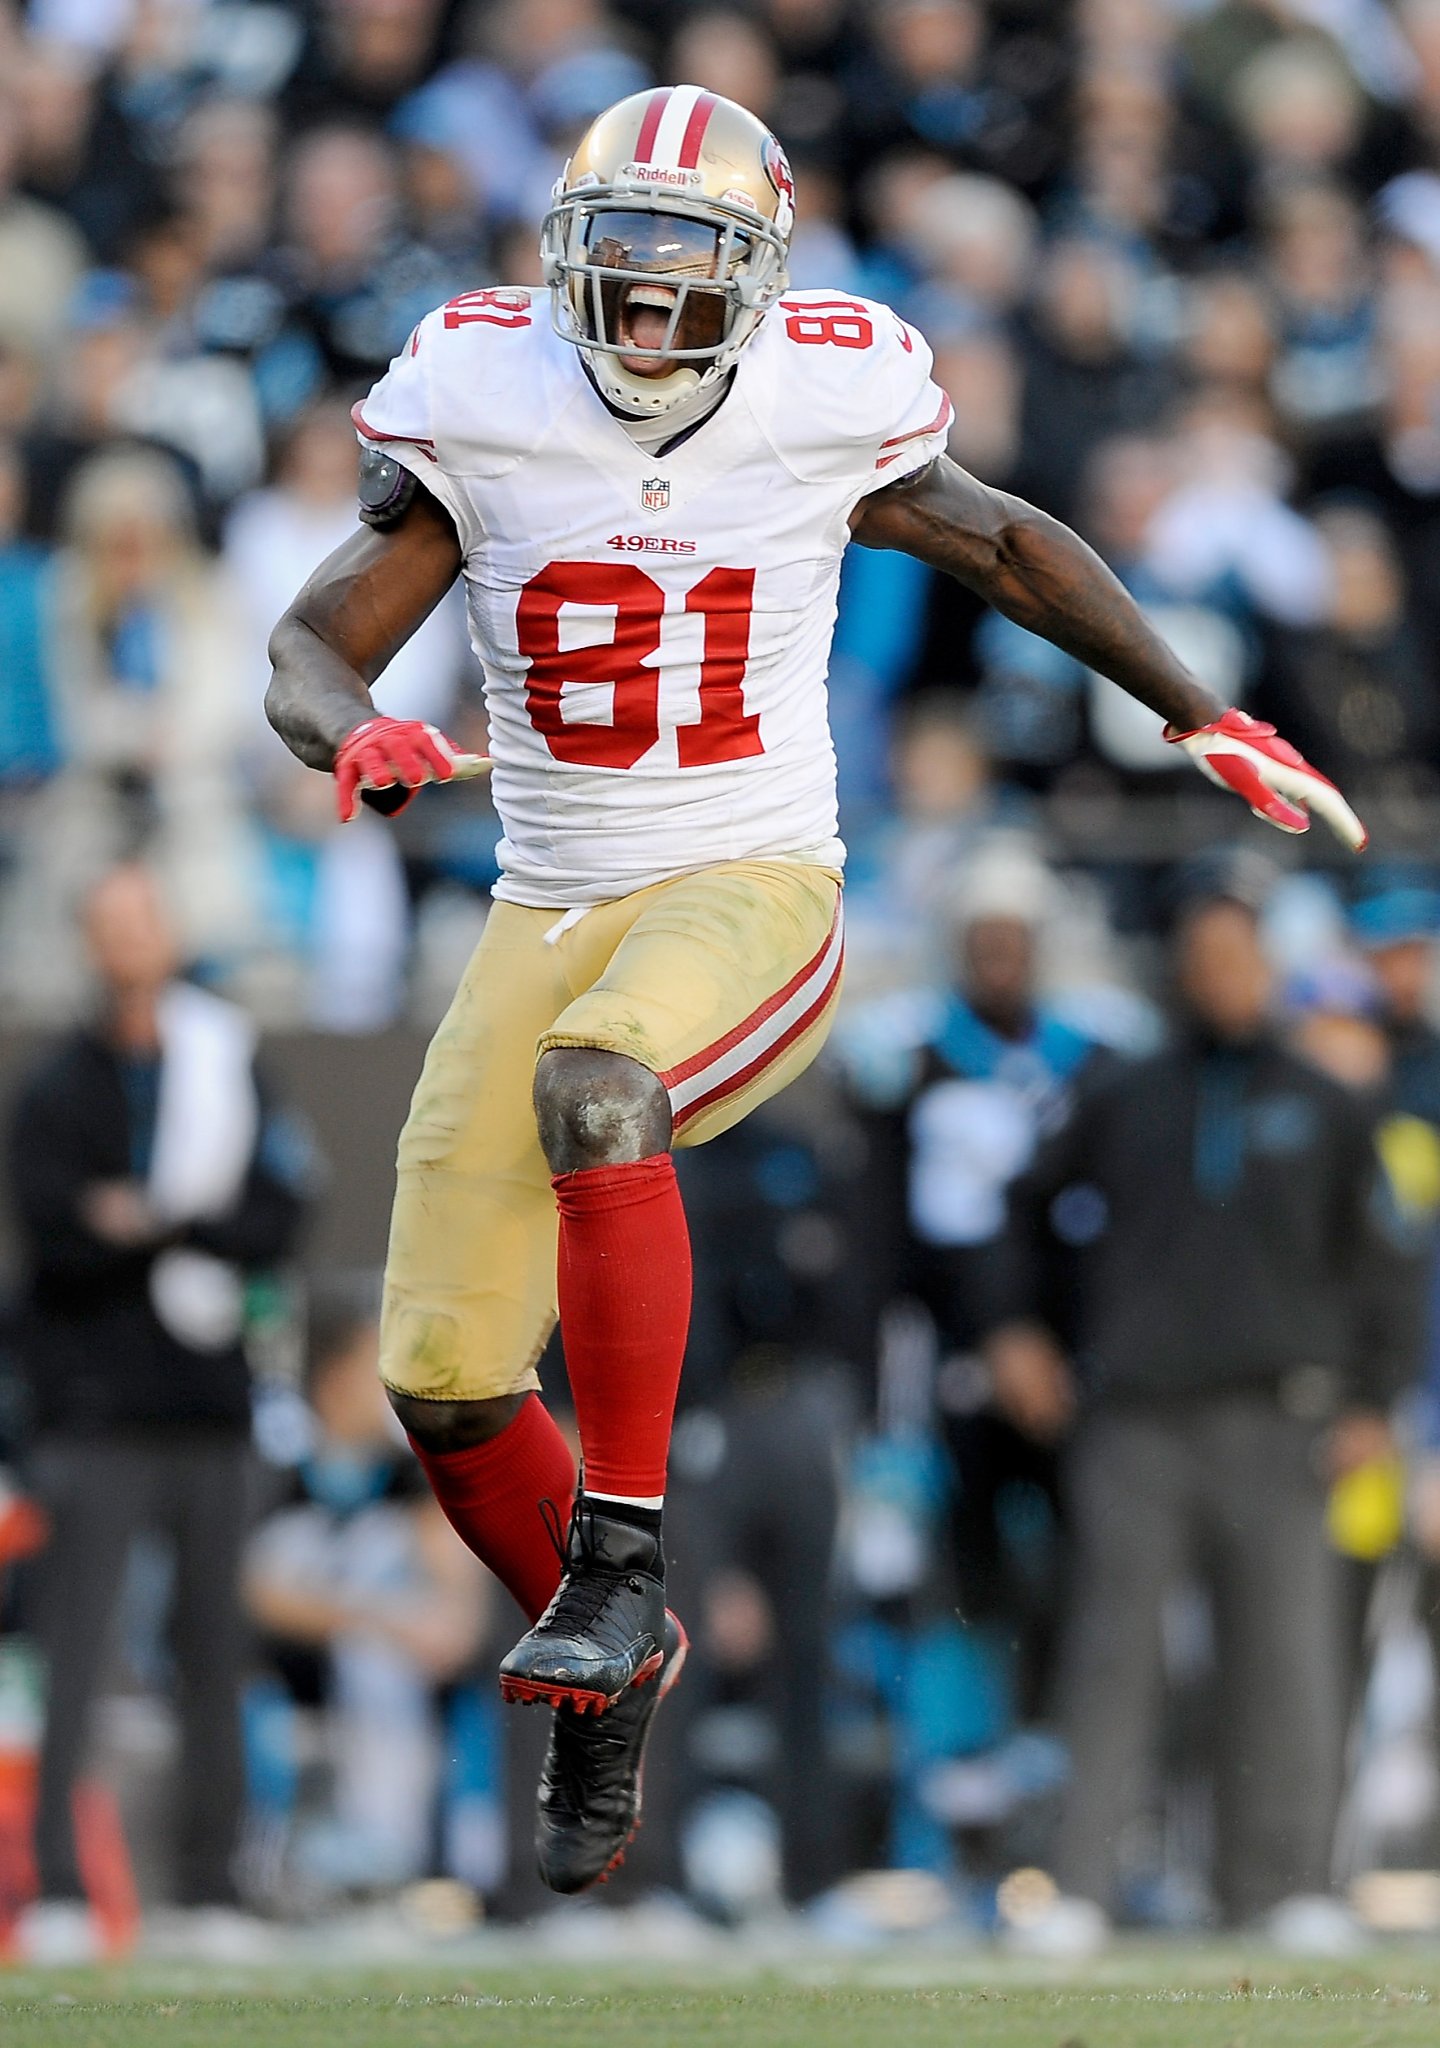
[1232,1330]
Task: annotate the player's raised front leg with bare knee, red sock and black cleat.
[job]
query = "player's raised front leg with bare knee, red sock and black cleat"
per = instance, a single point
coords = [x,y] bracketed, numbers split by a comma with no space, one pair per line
[718,992]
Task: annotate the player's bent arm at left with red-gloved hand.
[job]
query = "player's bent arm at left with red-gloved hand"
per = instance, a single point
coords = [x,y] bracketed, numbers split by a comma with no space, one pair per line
[343,630]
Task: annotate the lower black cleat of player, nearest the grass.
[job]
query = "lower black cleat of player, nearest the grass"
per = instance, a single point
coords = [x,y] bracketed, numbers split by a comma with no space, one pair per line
[595,1770]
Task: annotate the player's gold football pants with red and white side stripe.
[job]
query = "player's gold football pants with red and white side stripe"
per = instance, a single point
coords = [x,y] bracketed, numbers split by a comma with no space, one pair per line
[722,982]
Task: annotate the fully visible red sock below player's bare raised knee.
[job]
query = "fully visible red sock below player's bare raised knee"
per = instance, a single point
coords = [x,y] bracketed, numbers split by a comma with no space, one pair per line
[624,1314]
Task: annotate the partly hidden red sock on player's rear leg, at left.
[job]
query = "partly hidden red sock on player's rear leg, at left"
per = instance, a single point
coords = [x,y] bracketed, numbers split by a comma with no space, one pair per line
[493,1500]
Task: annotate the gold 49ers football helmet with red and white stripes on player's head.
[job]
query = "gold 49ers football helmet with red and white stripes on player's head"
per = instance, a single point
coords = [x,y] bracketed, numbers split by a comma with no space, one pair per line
[665,245]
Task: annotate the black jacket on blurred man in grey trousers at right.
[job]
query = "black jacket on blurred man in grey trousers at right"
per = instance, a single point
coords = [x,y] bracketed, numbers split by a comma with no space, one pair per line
[1234,1230]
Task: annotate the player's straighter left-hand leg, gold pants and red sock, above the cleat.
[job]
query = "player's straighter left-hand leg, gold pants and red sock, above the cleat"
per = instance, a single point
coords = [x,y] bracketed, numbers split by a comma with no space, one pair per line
[470,1281]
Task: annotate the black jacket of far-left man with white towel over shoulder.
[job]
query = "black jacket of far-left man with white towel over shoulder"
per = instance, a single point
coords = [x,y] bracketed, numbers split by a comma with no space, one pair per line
[95,1353]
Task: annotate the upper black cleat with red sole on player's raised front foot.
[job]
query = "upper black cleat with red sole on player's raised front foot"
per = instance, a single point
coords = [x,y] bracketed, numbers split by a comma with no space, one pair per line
[605,1627]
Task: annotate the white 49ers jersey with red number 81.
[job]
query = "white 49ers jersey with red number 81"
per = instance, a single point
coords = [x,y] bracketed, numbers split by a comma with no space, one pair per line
[657,630]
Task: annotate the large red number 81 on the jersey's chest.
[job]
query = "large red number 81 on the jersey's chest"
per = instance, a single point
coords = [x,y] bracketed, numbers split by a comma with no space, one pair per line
[726,732]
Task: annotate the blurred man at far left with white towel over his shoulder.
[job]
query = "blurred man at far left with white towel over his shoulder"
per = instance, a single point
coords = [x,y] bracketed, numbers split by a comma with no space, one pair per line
[151,1179]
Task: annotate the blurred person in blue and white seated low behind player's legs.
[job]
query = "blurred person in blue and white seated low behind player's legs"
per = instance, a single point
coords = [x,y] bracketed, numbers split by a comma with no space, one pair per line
[370,1609]
